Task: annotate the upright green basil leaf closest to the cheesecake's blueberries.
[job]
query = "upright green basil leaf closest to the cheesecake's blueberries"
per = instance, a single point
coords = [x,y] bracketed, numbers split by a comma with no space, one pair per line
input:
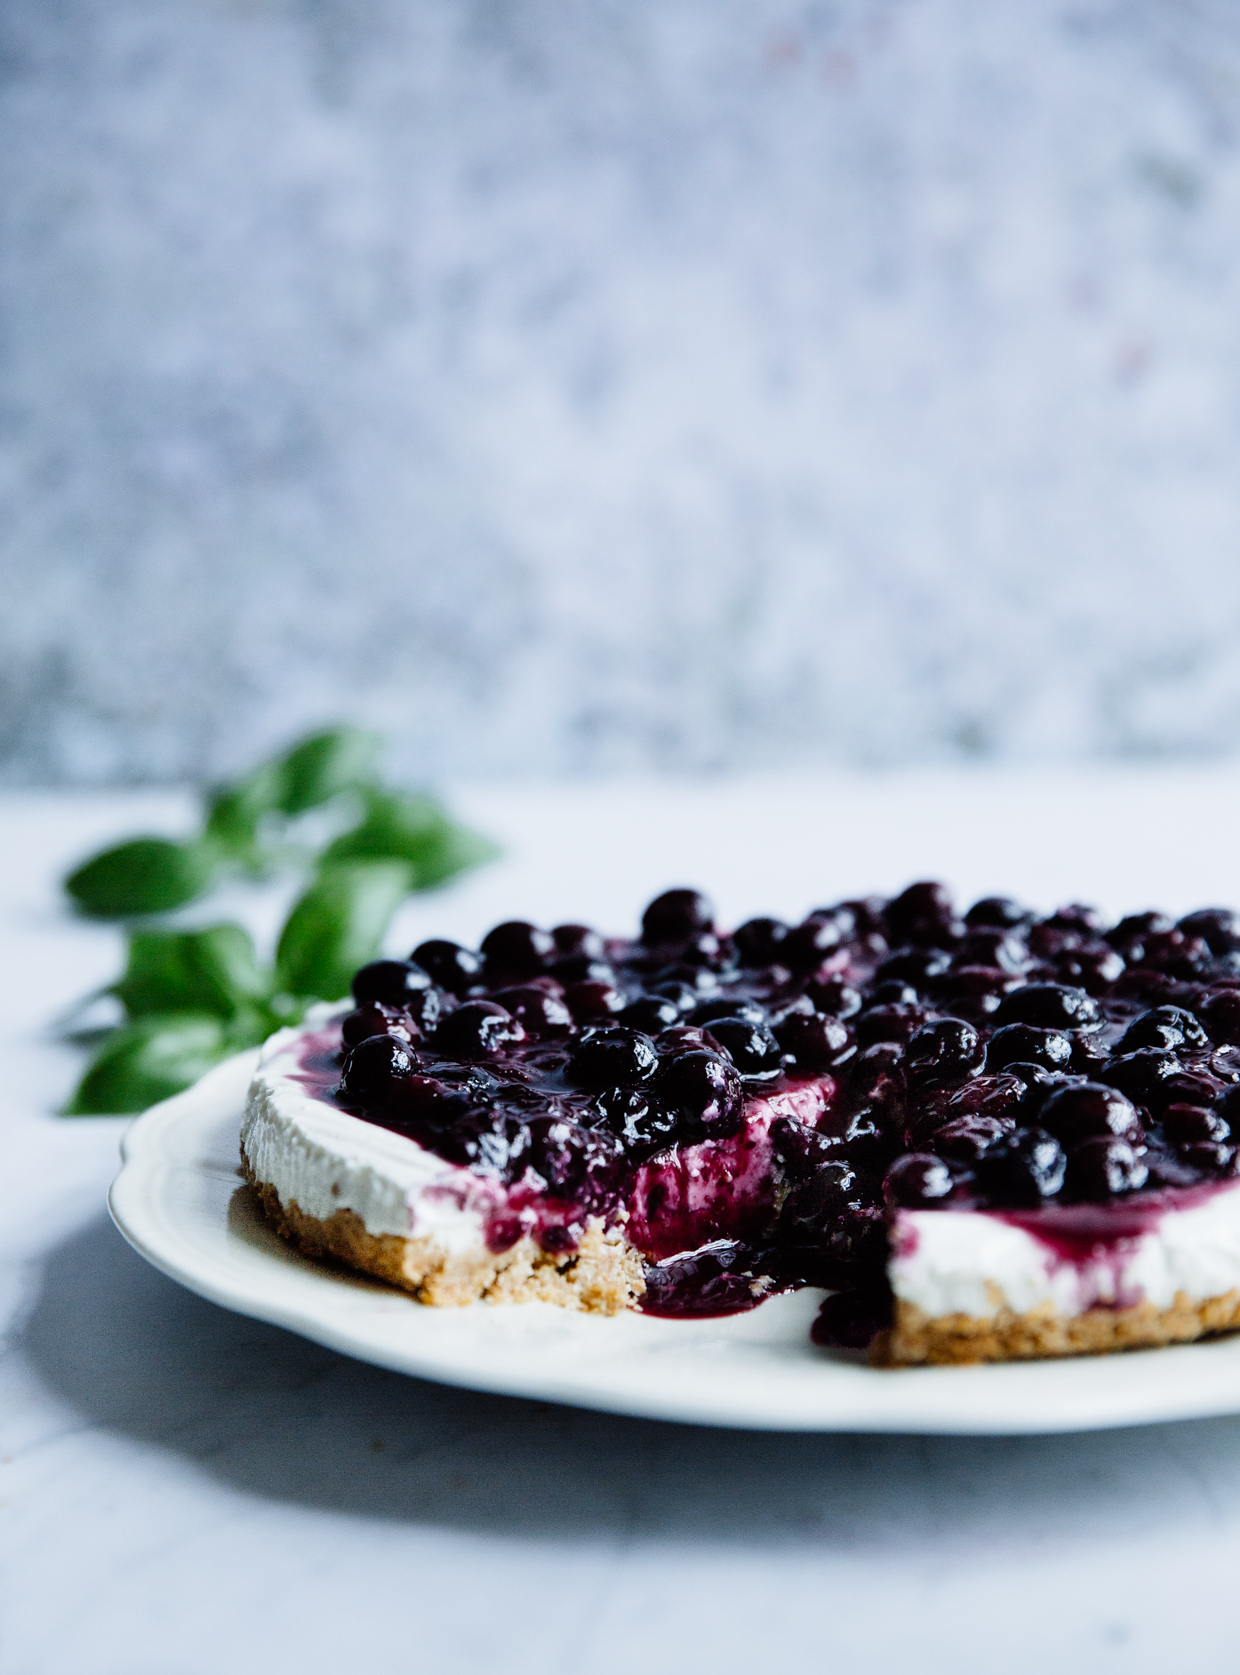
[338,925]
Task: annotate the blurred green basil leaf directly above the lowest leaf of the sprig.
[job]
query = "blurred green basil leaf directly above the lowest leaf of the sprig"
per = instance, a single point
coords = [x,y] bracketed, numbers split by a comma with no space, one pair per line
[212,971]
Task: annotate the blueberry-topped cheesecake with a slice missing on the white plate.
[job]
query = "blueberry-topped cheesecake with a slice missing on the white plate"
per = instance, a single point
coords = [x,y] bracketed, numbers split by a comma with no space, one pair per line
[989,1136]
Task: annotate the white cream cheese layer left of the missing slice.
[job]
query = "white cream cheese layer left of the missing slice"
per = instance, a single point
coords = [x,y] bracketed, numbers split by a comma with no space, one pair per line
[323,1160]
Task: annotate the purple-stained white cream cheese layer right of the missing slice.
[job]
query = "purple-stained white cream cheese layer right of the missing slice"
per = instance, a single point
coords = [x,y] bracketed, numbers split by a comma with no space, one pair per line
[973,1264]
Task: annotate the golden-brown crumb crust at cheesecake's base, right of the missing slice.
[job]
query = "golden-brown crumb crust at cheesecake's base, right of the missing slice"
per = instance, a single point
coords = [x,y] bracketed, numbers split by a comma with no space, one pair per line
[919,1341]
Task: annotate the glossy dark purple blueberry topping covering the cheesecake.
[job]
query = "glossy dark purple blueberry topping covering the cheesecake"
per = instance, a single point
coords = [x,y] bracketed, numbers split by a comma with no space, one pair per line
[755,1106]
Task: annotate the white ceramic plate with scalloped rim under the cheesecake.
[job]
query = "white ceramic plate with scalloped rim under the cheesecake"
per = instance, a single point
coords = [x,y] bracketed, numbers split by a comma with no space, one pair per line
[180,1202]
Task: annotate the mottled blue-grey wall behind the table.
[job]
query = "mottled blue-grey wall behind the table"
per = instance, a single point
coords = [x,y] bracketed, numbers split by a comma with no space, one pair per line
[616,384]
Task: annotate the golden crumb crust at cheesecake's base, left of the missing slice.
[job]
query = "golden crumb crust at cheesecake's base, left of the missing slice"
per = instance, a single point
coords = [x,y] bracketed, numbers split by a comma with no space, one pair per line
[601,1277]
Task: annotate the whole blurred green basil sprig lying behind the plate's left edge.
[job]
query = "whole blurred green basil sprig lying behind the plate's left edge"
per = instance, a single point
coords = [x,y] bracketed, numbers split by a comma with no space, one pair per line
[195,996]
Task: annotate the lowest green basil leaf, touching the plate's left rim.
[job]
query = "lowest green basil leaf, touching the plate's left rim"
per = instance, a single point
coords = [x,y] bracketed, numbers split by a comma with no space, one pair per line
[147,1063]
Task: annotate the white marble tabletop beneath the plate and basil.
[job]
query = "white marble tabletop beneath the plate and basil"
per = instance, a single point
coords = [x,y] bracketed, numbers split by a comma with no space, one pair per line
[185,1492]
